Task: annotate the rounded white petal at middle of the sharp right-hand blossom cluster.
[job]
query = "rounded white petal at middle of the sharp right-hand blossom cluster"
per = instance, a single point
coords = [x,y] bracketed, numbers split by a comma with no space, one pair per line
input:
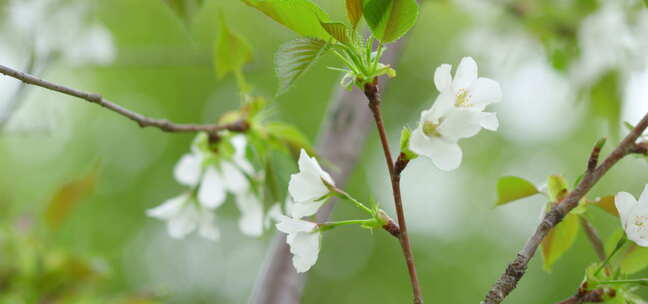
[460,124]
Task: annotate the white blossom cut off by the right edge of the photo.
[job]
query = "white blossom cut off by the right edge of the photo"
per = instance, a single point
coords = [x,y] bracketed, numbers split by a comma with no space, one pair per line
[634,216]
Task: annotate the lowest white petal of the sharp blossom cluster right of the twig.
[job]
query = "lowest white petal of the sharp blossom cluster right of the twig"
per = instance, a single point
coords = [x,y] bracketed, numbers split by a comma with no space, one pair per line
[446,155]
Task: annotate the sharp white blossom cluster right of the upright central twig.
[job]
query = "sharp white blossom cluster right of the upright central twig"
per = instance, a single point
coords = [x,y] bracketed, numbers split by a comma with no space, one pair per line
[457,113]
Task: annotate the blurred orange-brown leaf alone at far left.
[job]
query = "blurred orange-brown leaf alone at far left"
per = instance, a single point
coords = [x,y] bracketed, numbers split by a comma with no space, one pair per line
[67,197]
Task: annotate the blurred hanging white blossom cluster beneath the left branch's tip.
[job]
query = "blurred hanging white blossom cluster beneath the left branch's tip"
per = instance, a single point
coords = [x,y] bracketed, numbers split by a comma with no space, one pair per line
[211,176]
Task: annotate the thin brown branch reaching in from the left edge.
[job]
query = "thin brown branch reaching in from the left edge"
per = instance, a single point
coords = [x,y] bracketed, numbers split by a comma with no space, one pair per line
[140,119]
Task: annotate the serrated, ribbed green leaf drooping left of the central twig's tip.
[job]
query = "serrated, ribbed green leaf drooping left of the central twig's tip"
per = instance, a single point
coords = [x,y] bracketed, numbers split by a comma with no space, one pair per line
[294,58]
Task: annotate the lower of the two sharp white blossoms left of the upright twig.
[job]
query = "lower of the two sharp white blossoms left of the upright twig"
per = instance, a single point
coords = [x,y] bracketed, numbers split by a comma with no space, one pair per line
[304,241]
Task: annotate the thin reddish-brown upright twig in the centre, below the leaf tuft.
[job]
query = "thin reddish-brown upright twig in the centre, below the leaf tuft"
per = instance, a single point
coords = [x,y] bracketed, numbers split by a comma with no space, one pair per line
[373,95]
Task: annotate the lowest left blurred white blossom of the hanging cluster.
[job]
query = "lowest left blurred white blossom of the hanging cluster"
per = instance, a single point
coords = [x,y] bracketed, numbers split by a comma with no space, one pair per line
[183,215]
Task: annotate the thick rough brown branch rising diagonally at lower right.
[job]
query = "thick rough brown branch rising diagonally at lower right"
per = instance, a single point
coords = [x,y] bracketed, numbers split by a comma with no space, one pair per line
[516,269]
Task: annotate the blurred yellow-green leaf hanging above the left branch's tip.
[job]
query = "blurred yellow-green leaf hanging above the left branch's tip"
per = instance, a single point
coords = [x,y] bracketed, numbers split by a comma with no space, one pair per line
[231,51]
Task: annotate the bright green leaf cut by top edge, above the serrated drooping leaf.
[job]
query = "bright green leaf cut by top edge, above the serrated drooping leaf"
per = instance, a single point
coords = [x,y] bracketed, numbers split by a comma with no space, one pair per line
[301,16]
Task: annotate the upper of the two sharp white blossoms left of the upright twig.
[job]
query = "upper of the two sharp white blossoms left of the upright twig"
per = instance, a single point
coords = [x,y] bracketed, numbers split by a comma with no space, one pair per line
[307,187]
